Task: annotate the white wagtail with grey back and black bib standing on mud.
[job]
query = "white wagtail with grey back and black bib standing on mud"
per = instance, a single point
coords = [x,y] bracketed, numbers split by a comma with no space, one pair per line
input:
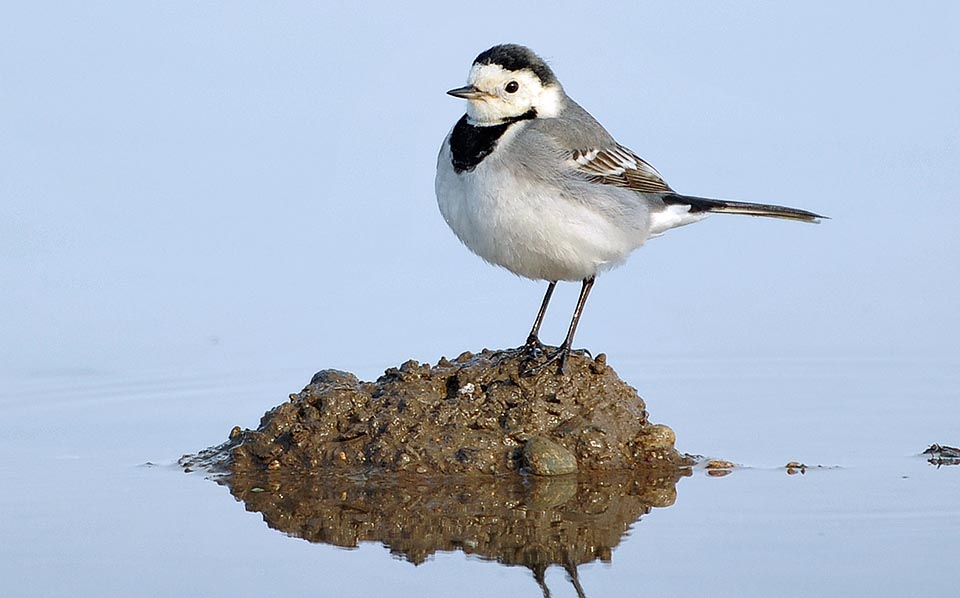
[529,180]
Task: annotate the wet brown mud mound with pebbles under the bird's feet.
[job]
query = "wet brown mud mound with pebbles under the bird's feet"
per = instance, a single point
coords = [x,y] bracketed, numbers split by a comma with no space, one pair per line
[476,414]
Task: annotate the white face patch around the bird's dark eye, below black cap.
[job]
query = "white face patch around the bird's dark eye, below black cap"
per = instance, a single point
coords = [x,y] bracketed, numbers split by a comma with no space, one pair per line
[507,94]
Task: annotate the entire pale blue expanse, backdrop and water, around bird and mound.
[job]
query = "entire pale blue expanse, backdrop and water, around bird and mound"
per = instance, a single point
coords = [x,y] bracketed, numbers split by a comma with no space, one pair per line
[203,203]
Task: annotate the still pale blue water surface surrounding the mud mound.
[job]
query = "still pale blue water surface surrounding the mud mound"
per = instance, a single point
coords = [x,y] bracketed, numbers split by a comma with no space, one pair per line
[94,504]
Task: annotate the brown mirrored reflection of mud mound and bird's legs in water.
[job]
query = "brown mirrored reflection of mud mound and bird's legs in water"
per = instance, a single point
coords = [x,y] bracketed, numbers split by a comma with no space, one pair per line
[528,521]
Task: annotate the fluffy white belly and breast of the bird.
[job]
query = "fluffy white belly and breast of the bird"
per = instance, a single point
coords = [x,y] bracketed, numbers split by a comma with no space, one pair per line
[534,230]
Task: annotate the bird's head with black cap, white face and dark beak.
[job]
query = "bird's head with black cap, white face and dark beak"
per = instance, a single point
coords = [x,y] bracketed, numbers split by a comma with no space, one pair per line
[508,82]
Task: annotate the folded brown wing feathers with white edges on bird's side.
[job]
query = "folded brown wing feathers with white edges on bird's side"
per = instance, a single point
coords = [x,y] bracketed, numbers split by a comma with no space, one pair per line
[618,166]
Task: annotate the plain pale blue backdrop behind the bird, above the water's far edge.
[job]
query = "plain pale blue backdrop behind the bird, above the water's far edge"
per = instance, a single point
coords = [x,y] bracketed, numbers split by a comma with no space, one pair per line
[196,184]
